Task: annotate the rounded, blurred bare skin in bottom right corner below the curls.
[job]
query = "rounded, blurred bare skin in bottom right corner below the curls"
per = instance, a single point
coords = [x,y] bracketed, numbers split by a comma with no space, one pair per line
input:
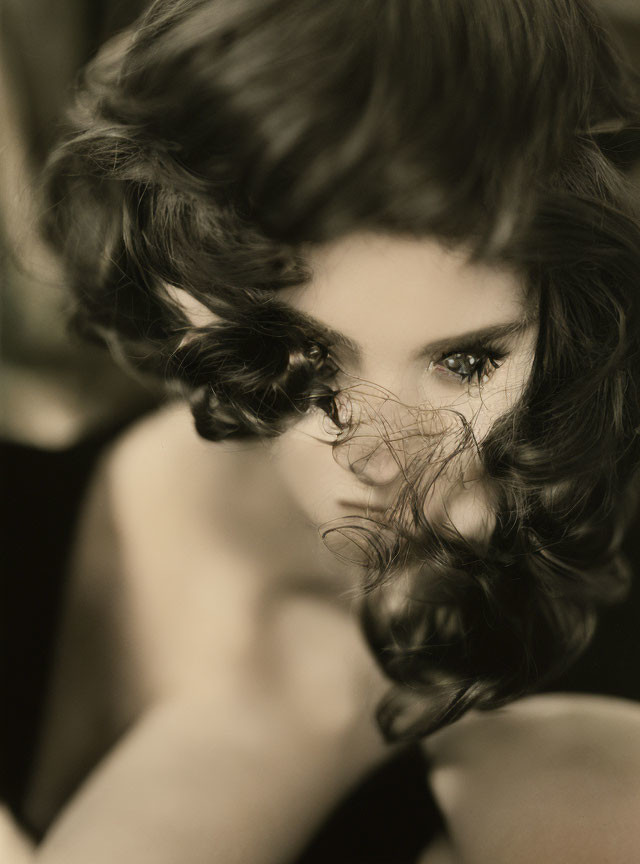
[552,778]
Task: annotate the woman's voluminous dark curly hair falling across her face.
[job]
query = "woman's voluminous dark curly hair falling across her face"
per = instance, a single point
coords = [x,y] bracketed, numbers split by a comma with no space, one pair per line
[213,142]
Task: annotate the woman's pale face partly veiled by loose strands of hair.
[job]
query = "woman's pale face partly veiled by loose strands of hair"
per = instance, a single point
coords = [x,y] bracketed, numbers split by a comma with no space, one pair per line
[415,326]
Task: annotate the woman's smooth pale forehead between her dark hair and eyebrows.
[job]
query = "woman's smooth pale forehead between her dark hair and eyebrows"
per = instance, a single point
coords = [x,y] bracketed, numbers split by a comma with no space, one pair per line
[397,293]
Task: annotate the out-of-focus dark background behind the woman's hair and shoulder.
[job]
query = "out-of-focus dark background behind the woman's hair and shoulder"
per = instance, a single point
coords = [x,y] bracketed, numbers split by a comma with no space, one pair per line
[61,401]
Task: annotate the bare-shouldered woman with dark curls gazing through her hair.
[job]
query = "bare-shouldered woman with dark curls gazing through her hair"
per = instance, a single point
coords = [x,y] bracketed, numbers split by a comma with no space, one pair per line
[387,253]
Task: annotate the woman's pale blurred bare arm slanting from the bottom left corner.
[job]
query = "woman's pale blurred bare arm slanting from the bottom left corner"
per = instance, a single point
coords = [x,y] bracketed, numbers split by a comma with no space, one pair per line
[243,776]
